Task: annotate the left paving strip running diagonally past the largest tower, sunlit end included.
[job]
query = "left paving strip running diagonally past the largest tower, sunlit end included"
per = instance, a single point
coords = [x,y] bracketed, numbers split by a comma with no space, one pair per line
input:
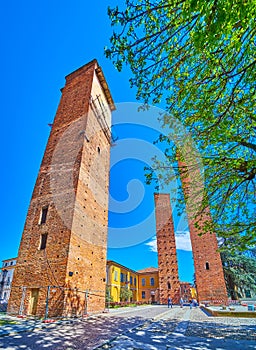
[79,334]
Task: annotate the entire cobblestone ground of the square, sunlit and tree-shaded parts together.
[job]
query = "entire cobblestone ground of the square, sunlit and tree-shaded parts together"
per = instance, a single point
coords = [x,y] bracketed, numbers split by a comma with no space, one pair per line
[150,327]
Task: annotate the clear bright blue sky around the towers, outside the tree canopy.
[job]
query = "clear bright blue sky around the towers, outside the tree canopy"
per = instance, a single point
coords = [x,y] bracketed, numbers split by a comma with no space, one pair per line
[41,43]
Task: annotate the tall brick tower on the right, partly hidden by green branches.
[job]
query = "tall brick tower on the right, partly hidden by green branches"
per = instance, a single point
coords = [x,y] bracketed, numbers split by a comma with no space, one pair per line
[210,282]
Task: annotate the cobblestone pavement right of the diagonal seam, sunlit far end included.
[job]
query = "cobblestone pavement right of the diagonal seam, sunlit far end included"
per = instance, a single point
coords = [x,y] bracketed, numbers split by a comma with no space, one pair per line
[189,329]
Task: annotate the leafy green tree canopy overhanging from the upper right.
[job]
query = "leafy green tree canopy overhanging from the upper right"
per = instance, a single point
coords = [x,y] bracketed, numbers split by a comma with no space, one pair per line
[196,58]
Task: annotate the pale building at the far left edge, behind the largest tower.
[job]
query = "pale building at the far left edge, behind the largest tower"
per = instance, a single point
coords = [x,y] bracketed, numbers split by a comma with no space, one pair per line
[6,276]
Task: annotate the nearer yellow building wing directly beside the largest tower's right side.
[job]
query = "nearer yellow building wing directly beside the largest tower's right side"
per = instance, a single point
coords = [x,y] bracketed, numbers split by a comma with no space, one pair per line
[120,277]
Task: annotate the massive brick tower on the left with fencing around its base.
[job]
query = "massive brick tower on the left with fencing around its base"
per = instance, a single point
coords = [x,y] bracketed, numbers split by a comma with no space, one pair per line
[61,263]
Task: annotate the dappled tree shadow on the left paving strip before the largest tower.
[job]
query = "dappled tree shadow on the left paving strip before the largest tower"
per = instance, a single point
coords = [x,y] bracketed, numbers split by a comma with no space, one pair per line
[81,334]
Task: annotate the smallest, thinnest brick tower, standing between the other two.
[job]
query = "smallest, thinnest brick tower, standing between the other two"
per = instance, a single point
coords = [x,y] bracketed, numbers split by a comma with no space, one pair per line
[167,257]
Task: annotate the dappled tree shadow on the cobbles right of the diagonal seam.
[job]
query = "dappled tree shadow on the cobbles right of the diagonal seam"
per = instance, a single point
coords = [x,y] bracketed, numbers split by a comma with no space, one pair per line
[162,335]
